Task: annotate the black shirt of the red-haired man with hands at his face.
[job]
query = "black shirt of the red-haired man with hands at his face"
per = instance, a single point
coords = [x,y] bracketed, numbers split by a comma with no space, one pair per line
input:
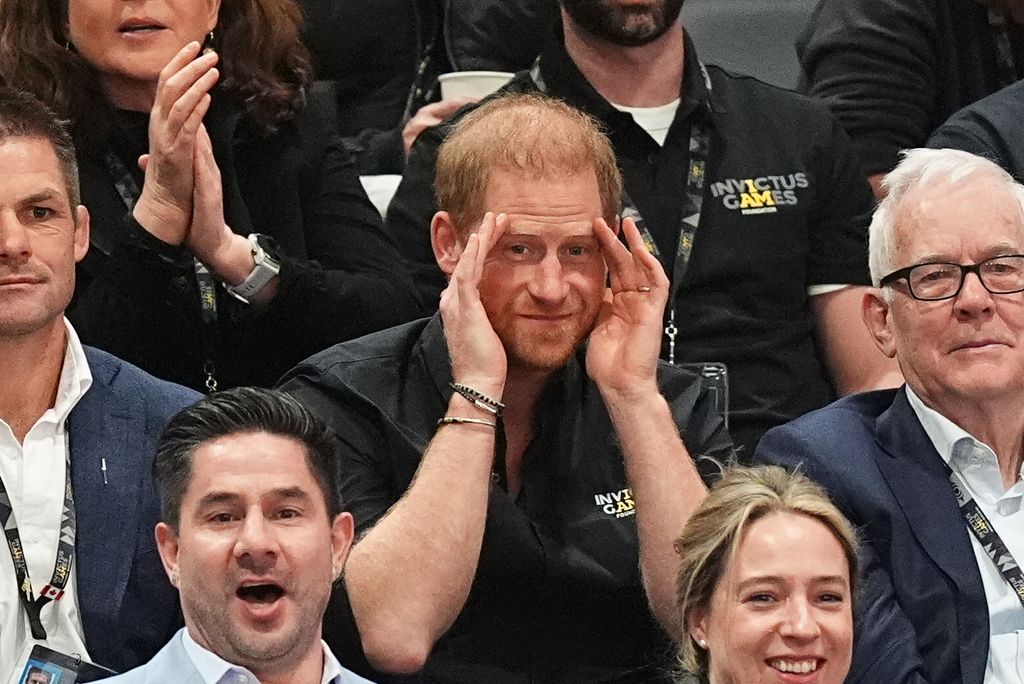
[558,596]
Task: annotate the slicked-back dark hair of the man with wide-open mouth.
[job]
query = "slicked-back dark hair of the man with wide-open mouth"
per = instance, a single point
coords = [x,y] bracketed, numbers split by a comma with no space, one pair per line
[239,411]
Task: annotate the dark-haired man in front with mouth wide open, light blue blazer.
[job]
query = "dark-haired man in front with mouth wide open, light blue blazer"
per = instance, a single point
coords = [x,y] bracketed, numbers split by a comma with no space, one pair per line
[253,535]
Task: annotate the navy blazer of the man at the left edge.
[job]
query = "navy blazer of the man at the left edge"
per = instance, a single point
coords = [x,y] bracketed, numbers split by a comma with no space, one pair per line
[129,608]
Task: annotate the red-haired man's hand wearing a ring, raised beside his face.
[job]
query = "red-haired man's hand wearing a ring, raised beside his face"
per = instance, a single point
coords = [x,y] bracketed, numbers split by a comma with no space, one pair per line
[624,349]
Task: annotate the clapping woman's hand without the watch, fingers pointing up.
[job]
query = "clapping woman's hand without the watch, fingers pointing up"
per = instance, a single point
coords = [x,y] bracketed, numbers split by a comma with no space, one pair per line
[182,101]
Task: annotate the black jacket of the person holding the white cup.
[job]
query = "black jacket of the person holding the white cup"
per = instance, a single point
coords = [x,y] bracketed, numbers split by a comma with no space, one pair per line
[386,56]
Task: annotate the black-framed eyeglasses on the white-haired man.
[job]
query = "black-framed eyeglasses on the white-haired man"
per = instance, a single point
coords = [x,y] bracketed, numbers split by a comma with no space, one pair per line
[931,282]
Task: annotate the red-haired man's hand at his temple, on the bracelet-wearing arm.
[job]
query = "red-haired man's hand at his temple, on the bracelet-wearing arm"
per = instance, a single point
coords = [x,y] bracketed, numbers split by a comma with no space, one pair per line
[478,355]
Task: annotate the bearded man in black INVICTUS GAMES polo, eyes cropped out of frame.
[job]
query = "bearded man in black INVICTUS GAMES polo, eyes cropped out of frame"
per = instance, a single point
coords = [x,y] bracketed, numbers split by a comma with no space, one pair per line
[783,209]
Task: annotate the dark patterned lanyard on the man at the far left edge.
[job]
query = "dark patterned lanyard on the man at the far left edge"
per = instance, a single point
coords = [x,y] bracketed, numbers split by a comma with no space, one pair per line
[62,569]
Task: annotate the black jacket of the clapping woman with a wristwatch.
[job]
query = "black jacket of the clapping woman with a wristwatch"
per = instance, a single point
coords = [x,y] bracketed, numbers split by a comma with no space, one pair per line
[137,296]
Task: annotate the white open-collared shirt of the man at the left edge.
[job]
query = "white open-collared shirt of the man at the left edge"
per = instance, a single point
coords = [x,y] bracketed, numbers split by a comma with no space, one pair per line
[34,477]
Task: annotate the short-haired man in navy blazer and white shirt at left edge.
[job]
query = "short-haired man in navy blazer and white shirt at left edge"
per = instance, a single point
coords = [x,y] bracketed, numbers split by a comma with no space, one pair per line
[78,429]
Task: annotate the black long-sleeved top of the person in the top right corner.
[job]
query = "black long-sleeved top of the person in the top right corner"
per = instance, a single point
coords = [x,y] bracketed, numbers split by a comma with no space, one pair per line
[892,71]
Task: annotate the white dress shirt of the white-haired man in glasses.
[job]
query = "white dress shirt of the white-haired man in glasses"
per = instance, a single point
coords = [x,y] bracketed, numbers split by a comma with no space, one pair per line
[978,468]
